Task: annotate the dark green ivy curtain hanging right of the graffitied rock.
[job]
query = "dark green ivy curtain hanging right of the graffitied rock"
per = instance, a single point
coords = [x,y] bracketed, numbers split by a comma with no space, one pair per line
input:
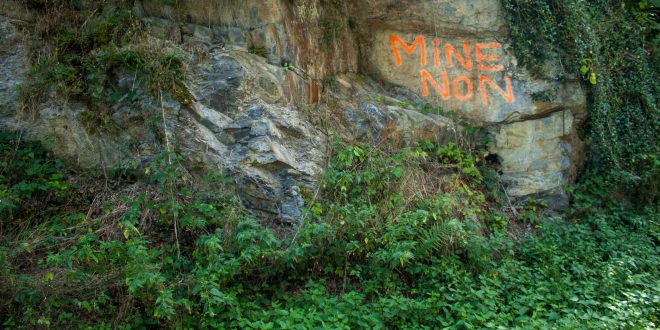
[613,46]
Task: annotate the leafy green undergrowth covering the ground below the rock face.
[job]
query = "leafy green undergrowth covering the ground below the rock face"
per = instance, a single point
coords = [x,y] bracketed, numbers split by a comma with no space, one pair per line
[376,250]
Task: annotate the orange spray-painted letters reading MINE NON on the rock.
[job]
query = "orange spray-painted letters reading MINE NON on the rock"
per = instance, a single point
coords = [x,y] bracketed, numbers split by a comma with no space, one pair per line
[460,87]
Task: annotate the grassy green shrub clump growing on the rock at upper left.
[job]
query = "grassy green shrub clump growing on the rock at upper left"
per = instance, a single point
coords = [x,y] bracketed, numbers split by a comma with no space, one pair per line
[87,46]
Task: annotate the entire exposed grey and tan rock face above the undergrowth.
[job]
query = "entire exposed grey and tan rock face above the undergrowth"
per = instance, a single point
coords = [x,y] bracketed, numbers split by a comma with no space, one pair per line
[262,71]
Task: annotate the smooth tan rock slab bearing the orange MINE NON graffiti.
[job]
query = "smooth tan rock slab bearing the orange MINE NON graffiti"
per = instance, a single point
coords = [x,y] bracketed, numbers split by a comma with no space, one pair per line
[457,55]
